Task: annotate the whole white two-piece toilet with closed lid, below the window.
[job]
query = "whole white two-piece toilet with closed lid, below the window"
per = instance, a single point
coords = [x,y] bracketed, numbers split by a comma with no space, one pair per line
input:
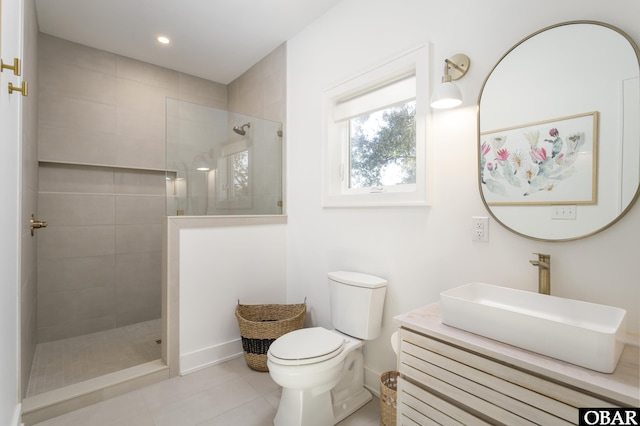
[321,371]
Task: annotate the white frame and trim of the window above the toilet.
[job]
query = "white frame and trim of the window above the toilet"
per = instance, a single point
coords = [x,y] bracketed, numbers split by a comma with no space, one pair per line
[336,192]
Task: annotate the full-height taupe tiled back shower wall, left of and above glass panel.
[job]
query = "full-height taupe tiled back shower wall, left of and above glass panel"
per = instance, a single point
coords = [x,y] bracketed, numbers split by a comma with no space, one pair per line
[101,147]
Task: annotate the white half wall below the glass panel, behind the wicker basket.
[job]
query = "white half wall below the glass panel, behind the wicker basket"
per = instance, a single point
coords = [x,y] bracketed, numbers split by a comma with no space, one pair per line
[237,260]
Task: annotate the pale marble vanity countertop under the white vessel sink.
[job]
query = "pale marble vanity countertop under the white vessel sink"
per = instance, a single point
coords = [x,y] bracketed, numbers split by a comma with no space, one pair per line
[622,385]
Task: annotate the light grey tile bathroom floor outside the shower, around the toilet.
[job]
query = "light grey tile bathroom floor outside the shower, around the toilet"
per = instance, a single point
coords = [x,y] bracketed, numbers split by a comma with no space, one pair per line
[225,394]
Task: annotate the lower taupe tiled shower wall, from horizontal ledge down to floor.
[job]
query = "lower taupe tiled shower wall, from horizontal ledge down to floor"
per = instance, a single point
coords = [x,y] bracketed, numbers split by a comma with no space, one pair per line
[99,261]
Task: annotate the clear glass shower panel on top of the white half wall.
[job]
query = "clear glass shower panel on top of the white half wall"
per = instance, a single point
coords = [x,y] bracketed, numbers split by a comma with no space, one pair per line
[221,163]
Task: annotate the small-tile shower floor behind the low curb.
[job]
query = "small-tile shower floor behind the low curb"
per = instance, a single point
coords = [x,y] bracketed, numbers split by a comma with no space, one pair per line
[69,361]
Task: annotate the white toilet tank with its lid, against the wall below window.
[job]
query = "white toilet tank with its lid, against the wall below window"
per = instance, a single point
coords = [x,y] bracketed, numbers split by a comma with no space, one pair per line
[356,303]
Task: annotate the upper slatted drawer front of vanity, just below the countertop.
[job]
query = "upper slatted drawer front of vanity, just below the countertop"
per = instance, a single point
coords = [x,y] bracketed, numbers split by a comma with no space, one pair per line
[506,394]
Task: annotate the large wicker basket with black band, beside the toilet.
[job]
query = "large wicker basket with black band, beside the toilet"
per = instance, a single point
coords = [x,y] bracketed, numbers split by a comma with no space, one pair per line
[260,325]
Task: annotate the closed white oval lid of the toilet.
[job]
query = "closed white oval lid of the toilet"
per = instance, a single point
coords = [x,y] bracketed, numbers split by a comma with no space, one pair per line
[306,346]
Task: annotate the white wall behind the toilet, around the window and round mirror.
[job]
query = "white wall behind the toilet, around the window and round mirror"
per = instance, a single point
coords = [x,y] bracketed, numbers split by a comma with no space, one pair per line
[422,251]
